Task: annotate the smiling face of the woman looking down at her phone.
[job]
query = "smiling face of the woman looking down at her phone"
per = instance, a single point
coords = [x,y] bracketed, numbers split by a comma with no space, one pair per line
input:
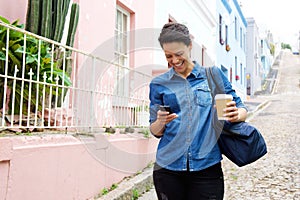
[178,57]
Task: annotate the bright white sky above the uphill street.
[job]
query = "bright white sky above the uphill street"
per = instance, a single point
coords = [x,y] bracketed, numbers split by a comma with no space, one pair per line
[282,18]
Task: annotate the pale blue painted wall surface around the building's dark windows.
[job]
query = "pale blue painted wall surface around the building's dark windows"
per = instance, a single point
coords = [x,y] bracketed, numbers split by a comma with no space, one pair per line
[236,56]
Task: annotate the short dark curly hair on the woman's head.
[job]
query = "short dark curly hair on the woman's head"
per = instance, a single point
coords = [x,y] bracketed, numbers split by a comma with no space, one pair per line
[174,32]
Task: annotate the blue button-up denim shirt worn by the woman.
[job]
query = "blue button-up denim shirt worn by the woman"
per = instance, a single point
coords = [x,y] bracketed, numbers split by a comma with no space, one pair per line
[189,141]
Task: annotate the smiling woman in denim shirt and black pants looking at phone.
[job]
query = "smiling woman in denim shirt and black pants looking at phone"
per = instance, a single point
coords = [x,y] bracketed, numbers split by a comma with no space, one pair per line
[188,160]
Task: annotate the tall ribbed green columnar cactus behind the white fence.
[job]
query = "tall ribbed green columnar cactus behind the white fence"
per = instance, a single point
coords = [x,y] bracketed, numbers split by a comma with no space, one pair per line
[48,18]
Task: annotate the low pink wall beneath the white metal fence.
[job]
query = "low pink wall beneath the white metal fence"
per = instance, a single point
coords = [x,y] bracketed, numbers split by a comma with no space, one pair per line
[65,167]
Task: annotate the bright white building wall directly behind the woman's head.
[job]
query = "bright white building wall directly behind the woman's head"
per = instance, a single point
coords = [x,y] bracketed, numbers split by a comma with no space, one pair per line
[198,16]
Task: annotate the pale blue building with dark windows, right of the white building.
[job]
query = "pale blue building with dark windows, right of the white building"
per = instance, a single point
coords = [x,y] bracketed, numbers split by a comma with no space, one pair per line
[231,44]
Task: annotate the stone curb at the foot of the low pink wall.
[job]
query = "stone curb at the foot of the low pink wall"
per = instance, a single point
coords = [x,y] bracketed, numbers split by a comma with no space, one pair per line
[140,184]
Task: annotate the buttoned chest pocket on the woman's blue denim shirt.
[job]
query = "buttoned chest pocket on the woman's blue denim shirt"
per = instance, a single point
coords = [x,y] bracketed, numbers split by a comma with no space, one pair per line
[202,95]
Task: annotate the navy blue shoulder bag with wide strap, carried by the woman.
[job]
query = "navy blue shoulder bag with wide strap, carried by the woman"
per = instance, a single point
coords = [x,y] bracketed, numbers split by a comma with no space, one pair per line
[240,142]
